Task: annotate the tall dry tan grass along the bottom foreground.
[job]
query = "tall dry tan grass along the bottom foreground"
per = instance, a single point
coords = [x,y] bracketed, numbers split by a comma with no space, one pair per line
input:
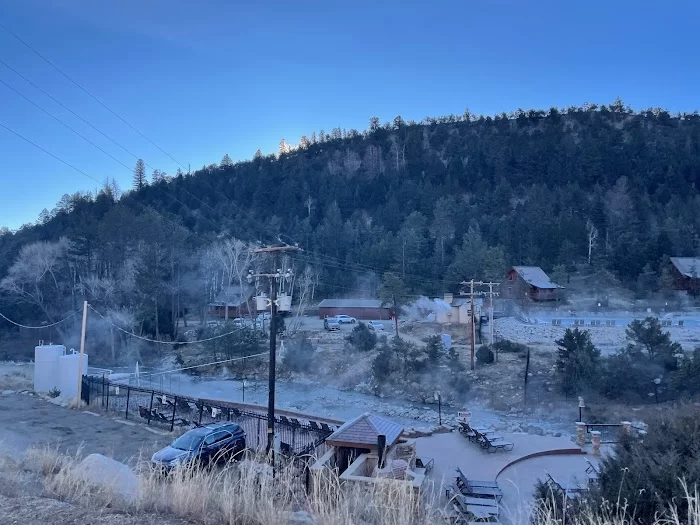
[245,493]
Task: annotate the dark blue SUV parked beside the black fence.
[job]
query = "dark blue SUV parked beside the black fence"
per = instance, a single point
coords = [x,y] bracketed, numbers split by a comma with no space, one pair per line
[203,445]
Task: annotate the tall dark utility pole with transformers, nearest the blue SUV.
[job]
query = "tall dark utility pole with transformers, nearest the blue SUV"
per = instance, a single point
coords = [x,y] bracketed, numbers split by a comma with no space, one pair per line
[274,279]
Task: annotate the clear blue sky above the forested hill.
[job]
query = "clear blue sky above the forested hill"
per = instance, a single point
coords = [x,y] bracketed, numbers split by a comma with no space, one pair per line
[205,78]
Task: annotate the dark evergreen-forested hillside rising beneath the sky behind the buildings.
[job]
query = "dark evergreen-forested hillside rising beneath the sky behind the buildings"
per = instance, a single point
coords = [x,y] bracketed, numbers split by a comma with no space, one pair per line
[435,202]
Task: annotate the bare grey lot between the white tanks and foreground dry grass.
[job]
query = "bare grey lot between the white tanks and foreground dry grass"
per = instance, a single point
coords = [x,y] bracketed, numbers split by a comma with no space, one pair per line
[27,421]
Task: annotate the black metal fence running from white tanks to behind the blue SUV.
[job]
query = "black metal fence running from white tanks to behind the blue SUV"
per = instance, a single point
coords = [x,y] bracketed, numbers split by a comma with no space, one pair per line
[297,437]
